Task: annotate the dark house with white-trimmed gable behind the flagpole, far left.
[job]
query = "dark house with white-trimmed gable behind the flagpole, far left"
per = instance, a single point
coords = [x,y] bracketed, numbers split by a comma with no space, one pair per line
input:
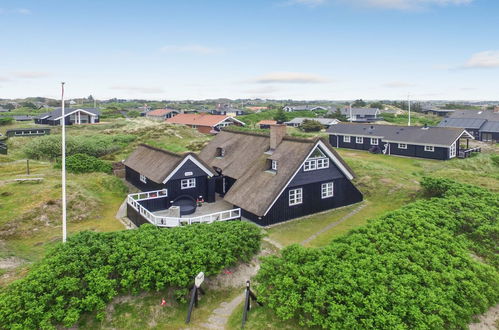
[72,116]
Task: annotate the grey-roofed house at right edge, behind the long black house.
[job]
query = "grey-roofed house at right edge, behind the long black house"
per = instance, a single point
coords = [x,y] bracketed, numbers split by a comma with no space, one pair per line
[482,124]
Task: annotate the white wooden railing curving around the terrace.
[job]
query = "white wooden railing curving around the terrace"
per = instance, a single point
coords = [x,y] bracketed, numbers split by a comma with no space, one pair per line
[161,221]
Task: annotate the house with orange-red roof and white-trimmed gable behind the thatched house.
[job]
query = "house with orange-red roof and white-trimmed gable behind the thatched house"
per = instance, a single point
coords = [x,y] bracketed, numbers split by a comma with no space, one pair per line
[204,123]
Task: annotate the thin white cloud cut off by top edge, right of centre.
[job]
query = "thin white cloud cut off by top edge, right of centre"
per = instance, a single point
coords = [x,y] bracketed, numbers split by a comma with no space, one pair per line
[405,4]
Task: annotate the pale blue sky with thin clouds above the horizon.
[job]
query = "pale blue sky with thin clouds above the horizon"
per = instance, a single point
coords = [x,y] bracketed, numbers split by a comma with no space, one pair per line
[275,49]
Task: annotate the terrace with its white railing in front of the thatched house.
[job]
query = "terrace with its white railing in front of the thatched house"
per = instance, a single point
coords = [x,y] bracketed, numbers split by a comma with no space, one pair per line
[155,207]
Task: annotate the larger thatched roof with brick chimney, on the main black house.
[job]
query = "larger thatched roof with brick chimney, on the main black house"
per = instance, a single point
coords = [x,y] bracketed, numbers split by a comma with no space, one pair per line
[246,160]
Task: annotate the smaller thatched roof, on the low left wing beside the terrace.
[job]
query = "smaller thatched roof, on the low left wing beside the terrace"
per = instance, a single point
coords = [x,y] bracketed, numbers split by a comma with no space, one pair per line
[157,164]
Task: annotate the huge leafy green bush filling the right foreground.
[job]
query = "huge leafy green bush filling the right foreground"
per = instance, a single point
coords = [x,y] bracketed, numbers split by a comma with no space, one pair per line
[408,269]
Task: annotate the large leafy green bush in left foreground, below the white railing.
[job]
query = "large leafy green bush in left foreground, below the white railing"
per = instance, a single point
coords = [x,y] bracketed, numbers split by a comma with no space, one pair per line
[91,268]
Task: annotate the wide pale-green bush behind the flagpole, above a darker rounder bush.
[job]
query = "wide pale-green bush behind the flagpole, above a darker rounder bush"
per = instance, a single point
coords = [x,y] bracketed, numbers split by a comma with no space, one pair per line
[49,146]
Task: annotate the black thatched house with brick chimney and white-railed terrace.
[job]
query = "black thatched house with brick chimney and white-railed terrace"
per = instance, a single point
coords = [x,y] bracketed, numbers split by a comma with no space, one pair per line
[266,178]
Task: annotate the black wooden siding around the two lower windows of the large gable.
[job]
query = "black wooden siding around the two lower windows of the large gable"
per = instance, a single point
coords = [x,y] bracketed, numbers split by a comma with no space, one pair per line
[345,193]
